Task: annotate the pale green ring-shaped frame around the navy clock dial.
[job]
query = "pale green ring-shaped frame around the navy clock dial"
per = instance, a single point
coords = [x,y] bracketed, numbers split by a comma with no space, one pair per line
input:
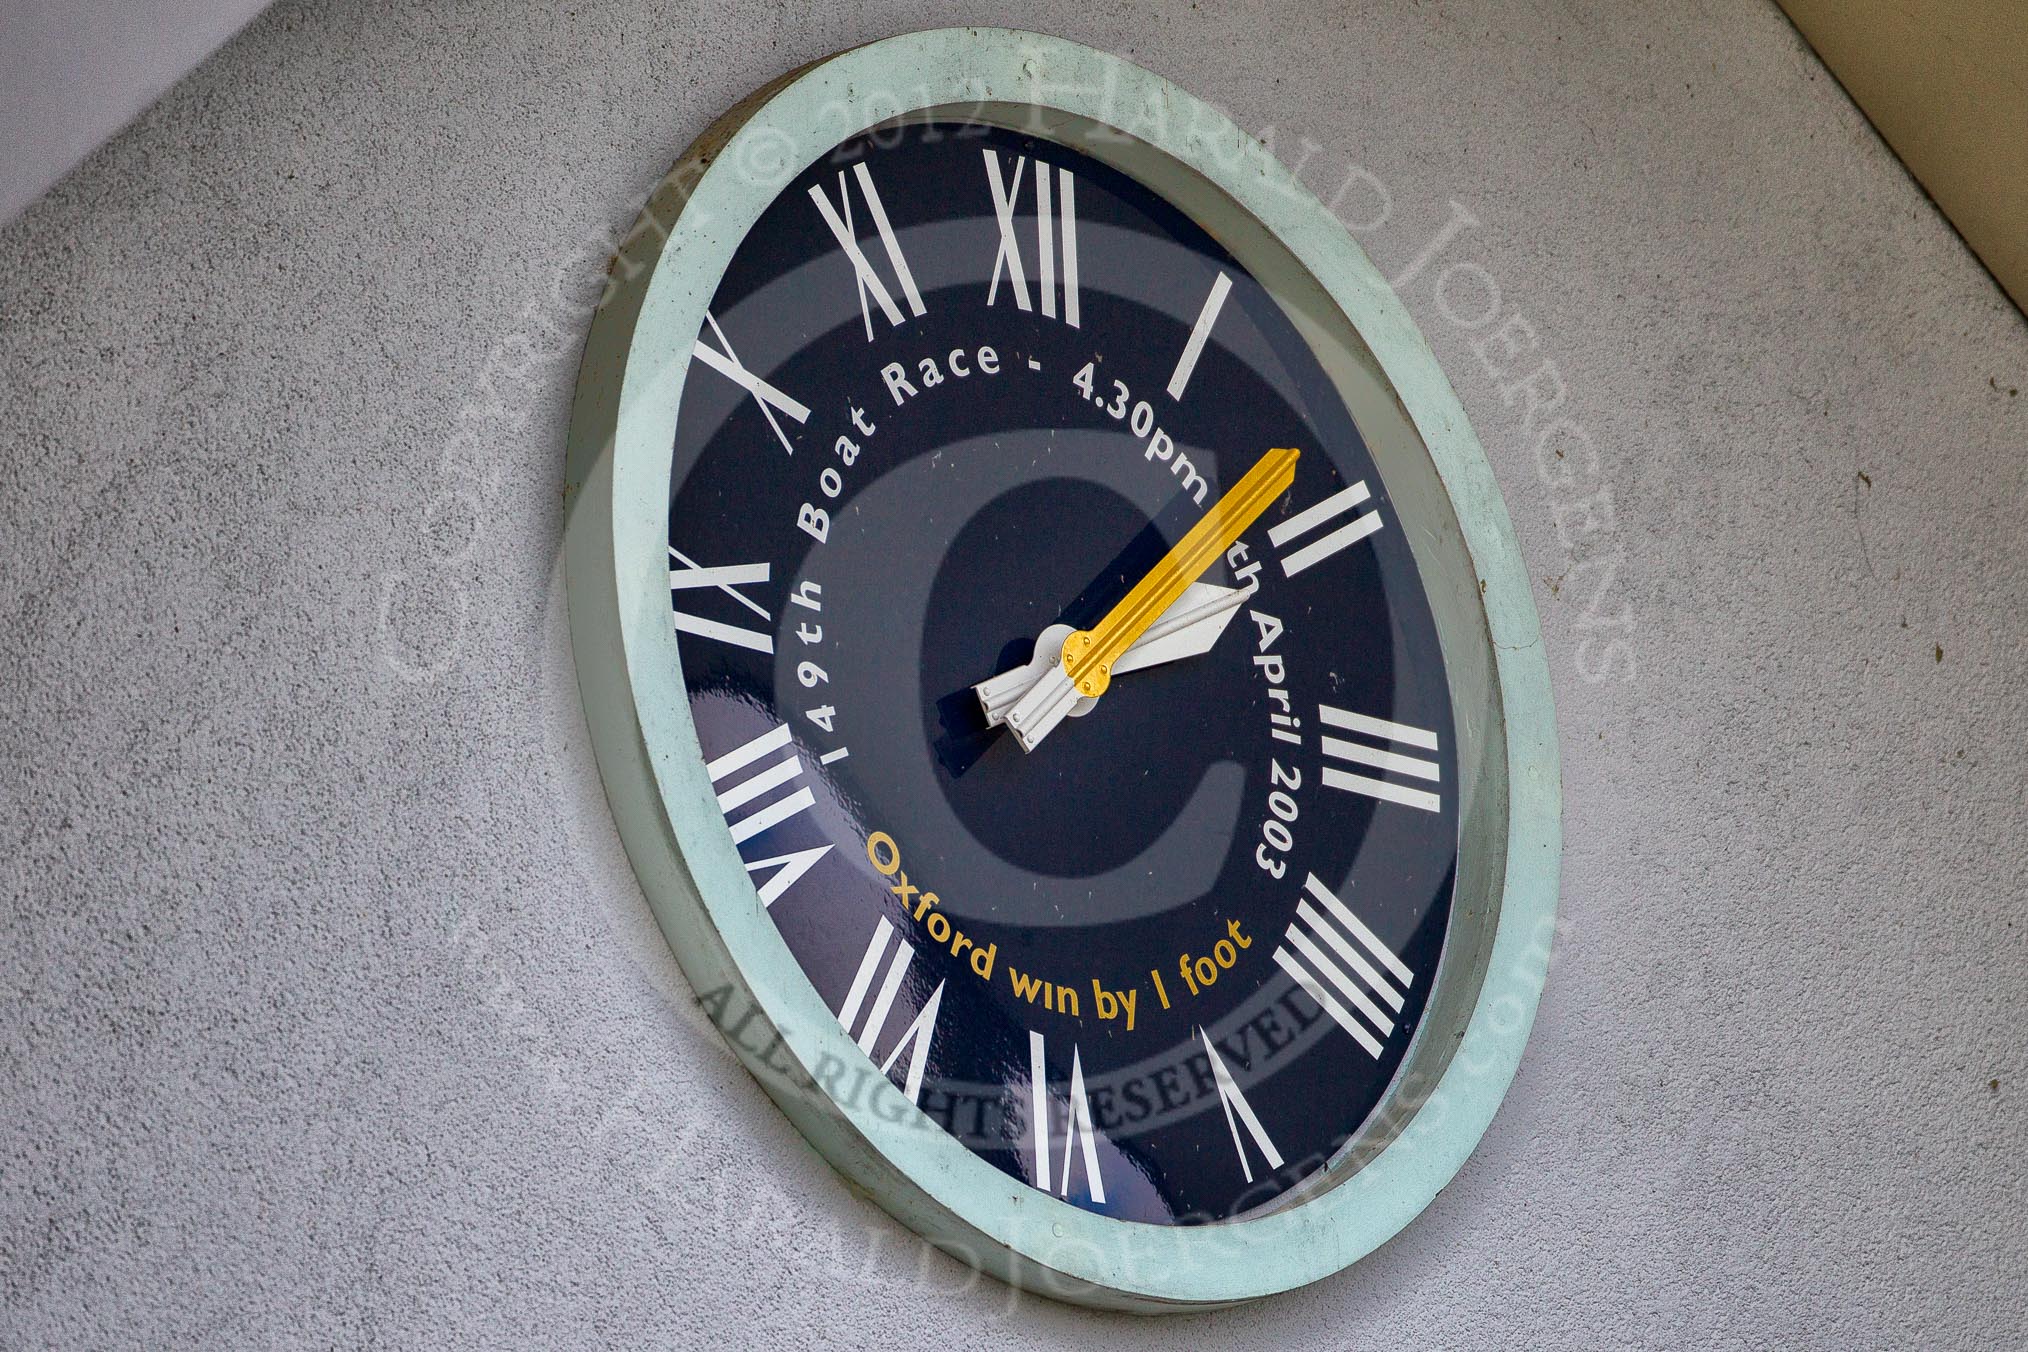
[618,502]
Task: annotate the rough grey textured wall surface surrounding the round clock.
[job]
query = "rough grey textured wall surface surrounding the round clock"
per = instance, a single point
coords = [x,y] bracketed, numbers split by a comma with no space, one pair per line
[334,1015]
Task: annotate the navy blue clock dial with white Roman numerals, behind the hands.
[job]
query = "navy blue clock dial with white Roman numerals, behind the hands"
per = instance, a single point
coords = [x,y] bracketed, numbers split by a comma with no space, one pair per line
[964,386]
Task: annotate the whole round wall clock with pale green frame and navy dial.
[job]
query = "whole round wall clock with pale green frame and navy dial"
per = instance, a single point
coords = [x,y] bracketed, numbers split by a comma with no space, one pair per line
[1060,660]
